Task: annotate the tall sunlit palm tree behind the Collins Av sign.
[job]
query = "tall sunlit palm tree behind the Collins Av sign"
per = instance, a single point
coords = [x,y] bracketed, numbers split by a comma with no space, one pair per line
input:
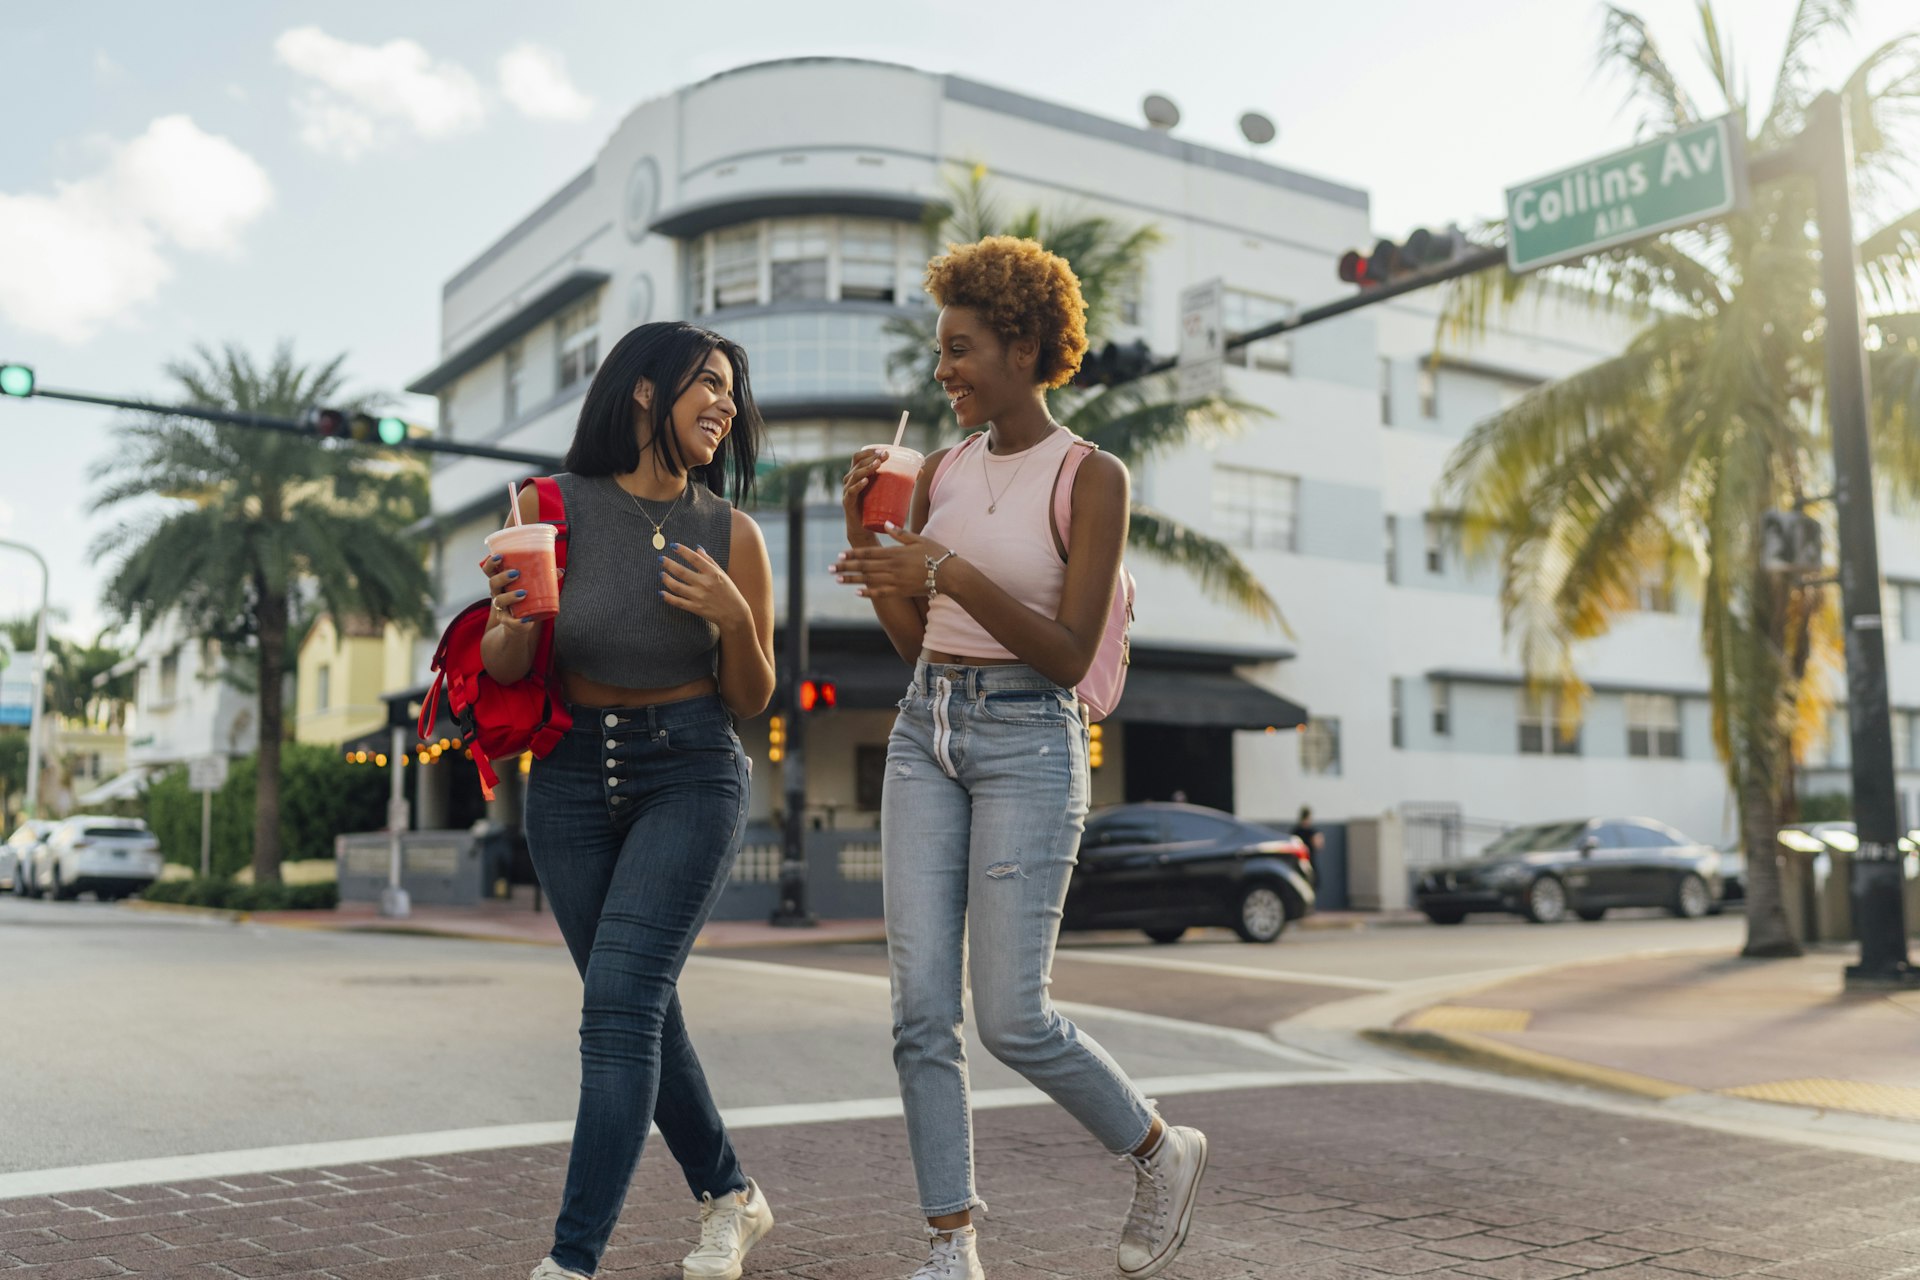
[1673,452]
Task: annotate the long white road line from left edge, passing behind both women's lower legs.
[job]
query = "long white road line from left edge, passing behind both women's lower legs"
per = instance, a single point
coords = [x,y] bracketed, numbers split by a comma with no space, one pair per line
[496,1137]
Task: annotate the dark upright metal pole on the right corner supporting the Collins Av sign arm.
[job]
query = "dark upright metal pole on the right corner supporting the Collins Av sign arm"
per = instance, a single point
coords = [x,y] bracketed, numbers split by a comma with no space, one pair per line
[1879,868]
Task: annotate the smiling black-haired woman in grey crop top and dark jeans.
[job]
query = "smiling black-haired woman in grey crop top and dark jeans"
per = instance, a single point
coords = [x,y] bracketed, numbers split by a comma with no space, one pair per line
[665,636]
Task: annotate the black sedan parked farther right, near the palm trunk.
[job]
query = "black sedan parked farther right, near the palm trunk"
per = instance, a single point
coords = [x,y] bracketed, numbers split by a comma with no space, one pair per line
[1583,868]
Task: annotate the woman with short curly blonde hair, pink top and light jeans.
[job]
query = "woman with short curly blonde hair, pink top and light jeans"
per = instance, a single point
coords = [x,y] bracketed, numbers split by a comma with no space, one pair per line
[988,786]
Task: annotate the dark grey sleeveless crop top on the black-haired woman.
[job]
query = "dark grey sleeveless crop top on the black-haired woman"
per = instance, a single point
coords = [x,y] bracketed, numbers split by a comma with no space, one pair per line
[613,625]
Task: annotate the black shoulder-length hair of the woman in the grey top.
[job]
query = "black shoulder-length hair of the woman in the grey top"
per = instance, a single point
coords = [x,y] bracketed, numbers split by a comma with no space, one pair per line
[669,354]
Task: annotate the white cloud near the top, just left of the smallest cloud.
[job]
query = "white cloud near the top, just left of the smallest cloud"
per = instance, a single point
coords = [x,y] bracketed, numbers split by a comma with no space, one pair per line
[360,97]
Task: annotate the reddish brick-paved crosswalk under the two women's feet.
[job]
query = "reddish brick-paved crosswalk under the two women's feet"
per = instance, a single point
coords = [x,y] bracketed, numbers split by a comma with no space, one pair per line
[1316,1183]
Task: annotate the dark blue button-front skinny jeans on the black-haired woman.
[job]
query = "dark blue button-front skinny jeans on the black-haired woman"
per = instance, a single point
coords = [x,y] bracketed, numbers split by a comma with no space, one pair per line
[635,822]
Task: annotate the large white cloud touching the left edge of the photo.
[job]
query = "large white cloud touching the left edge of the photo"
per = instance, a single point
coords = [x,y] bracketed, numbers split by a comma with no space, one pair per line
[101,247]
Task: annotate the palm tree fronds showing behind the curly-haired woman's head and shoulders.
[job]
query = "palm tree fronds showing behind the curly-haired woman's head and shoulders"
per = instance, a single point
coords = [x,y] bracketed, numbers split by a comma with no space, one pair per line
[1134,421]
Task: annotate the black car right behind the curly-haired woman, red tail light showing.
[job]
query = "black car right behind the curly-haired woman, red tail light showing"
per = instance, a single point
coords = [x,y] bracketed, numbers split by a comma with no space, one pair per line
[1170,868]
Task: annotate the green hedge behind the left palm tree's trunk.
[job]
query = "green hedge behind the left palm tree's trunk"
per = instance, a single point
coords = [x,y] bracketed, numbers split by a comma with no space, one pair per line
[322,795]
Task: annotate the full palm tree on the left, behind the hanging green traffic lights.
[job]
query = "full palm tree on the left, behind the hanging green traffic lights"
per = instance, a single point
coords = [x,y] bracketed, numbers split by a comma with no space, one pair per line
[254,527]
